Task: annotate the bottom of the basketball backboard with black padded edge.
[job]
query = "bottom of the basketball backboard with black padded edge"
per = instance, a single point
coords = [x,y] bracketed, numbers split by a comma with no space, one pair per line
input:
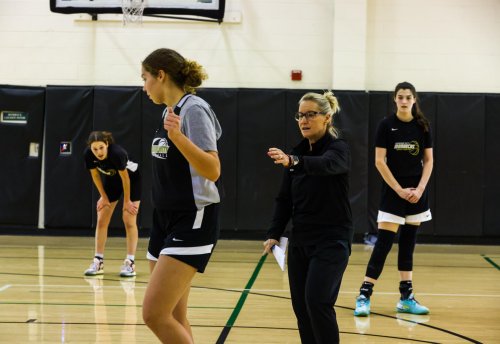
[213,9]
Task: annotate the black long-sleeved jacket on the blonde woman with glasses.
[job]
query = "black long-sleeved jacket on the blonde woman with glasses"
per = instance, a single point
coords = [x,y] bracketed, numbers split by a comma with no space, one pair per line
[315,194]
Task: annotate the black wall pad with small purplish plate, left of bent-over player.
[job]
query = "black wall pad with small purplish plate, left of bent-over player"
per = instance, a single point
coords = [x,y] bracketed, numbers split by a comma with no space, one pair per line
[68,185]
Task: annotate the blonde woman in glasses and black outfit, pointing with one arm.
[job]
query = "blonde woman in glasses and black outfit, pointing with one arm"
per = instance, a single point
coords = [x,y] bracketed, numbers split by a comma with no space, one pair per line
[314,195]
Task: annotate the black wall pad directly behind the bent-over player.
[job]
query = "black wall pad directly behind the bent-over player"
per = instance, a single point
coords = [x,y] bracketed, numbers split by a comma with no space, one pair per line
[118,110]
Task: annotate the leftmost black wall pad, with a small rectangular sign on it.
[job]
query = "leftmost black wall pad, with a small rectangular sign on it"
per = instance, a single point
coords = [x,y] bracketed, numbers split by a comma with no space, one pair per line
[20,173]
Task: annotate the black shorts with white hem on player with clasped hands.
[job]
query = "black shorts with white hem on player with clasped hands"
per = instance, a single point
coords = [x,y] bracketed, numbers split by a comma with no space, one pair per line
[394,209]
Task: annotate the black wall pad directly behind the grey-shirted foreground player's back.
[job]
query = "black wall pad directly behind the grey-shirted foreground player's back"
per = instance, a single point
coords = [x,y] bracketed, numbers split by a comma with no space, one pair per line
[225,104]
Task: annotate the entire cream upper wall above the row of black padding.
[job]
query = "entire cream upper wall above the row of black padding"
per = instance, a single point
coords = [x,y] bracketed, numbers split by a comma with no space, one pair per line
[439,45]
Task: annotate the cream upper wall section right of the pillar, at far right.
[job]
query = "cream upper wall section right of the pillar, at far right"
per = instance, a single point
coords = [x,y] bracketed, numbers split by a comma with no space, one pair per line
[443,45]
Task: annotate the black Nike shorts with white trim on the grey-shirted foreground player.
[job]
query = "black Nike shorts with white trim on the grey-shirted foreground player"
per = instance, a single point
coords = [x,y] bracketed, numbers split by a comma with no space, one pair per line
[188,236]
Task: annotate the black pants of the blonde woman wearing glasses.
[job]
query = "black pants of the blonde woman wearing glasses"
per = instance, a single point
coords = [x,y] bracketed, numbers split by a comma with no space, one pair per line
[315,273]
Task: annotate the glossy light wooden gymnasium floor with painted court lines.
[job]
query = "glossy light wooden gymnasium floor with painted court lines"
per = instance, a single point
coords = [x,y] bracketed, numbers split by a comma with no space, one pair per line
[242,297]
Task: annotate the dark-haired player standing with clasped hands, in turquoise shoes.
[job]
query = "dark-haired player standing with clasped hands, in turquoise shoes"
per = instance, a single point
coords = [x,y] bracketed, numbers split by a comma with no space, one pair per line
[404,159]
